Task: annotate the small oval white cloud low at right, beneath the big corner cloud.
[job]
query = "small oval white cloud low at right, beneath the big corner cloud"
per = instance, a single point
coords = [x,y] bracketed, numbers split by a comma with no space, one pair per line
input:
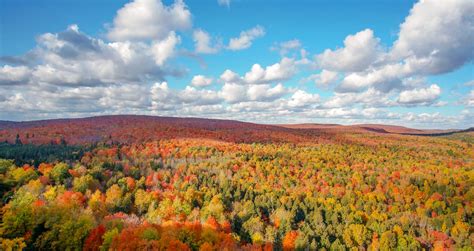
[420,96]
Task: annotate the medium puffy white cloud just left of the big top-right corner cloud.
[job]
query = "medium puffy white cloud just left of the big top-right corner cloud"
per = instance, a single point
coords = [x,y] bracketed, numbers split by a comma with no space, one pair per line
[359,52]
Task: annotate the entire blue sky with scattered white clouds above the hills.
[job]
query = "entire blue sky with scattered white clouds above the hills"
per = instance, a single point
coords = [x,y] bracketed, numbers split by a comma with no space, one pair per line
[404,63]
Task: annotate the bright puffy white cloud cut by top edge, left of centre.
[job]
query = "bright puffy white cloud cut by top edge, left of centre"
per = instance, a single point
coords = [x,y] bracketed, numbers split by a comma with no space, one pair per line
[149,19]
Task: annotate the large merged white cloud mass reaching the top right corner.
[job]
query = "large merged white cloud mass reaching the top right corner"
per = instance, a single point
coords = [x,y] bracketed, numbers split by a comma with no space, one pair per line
[436,37]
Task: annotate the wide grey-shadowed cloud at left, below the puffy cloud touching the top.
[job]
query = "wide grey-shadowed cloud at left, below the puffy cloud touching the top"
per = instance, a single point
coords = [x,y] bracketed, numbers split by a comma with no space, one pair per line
[71,58]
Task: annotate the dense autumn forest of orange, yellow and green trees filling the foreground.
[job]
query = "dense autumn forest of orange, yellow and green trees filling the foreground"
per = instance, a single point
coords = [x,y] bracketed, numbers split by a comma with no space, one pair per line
[310,190]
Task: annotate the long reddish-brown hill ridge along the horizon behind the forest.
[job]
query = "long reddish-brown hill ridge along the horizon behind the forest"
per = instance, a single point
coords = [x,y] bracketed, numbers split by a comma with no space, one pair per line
[138,128]
